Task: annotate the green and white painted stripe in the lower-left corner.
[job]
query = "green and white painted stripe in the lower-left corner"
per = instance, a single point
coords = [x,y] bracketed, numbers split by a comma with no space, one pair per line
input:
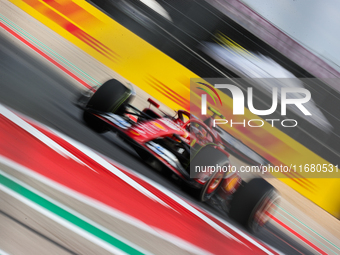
[65,216]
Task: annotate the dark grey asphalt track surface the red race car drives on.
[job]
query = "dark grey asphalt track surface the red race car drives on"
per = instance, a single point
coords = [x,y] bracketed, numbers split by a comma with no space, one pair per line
[34,87]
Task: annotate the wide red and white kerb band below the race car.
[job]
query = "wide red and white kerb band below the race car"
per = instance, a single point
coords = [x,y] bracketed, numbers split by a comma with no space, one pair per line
[184,220]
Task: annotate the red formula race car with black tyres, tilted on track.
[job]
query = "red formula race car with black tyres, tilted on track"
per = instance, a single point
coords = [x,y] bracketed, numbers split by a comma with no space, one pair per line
[189,148]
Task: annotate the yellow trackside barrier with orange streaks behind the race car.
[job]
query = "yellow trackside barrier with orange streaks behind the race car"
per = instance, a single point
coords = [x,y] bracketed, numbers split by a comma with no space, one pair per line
[133,51]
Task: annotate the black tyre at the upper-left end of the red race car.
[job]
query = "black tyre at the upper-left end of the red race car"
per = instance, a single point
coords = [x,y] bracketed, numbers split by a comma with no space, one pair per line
[112,96]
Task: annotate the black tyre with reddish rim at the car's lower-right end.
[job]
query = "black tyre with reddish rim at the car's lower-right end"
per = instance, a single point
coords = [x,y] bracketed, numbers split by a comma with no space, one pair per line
[252,202]
